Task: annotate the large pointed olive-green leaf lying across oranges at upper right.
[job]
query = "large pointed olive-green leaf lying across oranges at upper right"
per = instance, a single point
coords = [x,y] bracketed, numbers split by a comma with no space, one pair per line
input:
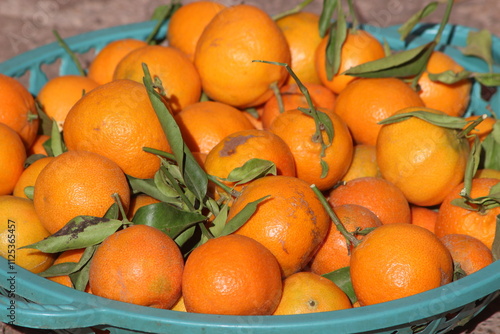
[402,64]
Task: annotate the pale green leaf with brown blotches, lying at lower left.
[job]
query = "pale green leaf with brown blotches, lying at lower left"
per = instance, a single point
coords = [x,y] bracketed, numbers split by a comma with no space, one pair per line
[80,232]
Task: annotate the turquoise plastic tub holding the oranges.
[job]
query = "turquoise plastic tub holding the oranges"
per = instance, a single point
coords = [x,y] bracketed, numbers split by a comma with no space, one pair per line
[40,303]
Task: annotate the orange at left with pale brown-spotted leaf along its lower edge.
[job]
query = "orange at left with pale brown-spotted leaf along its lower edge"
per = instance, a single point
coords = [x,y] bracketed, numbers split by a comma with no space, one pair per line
[78,183]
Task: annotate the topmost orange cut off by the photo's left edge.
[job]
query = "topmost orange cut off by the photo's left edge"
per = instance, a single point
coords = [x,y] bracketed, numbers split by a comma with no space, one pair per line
[18,109]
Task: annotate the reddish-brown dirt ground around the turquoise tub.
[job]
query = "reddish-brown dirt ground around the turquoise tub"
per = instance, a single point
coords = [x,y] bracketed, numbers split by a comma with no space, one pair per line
[28,24]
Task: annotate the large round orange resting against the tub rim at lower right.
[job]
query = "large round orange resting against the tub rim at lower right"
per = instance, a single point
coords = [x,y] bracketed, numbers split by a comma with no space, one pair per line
[396,261]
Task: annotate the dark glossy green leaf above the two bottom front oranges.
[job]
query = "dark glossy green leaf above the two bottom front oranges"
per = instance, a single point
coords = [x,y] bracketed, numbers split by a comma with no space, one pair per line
[167,218]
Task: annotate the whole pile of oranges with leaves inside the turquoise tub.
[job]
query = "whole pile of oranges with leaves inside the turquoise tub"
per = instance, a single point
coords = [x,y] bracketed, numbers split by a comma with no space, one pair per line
[226,171]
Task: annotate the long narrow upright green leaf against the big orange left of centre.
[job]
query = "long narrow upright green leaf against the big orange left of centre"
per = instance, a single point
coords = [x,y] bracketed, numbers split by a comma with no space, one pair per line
[194,176]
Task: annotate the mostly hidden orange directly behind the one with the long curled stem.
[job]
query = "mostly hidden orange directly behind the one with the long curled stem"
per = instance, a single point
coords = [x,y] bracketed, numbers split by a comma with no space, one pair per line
[292,98]
